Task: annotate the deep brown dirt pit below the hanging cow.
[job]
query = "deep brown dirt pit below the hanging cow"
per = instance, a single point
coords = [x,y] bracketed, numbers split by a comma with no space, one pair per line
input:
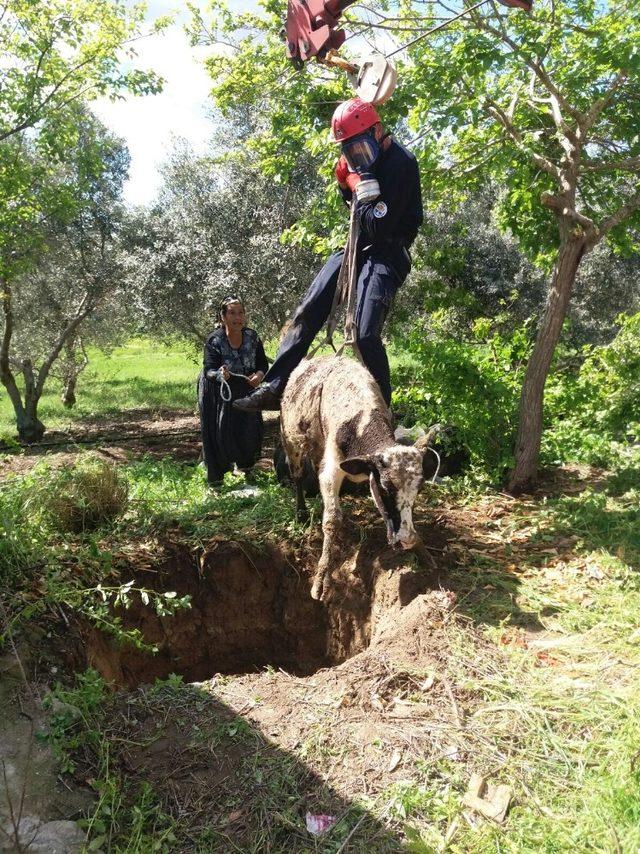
[251,609]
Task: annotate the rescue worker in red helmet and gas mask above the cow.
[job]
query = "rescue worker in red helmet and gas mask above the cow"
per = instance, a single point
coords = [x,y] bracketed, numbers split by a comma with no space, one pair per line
[381,177]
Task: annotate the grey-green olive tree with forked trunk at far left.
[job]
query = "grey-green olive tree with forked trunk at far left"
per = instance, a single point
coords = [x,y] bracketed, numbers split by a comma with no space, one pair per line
[77,268]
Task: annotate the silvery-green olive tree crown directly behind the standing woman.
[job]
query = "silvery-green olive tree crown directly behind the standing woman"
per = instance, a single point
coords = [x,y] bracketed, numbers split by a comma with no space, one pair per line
[215,230]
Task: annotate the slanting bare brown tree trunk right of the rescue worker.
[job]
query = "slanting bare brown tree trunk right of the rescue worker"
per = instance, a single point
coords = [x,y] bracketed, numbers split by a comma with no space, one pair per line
[527,446]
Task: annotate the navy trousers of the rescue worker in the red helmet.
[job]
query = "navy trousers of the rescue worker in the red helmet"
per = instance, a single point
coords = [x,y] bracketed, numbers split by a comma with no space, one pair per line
[378,281]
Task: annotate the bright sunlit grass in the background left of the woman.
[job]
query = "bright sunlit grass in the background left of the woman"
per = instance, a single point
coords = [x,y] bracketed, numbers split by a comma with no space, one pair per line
[143,374]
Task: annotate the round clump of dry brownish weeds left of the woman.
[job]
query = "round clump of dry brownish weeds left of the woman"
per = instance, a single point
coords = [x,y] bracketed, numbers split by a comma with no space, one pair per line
[87,495]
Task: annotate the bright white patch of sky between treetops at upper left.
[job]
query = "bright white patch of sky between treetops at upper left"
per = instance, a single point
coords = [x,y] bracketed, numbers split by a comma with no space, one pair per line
[149,124]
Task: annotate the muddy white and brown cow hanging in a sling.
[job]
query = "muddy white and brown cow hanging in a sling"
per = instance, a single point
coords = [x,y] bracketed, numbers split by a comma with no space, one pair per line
[333,414]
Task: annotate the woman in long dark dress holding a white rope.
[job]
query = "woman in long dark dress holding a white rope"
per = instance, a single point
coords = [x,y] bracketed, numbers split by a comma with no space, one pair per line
[229,436]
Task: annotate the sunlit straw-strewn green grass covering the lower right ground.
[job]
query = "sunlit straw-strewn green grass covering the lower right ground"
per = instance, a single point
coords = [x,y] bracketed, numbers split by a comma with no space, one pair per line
[559,718]
